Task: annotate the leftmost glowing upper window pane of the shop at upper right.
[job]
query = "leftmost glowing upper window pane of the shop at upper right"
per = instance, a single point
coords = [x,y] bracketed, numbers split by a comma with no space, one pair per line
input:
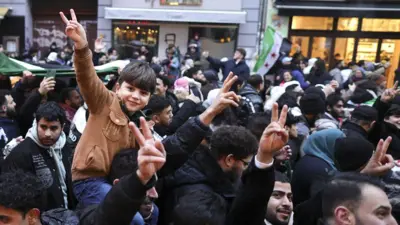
[312,23]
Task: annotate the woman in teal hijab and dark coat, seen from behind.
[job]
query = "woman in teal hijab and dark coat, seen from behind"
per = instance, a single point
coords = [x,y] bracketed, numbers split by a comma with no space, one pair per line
[316,166]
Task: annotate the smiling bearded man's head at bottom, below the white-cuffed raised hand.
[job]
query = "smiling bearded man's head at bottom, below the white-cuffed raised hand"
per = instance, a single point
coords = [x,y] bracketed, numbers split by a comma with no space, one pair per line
[280,205]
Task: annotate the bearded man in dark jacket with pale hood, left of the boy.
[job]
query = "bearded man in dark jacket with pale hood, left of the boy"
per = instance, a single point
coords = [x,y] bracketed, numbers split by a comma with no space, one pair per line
[45,154]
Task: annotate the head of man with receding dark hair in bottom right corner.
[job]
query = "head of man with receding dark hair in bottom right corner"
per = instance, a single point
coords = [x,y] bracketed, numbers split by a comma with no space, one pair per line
[356,200]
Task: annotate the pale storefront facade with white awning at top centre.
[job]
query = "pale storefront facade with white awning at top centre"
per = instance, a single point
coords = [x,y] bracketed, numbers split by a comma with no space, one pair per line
[221,25]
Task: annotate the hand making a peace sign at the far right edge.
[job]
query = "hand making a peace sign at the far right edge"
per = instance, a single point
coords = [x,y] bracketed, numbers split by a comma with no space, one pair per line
[380,162]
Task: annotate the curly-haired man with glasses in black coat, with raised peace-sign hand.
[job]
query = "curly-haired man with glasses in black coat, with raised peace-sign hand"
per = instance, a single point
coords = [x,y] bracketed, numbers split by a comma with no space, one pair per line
[219,169]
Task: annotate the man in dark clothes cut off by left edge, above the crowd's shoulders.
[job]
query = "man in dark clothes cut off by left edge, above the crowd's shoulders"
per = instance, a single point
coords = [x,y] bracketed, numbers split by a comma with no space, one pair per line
[8,126]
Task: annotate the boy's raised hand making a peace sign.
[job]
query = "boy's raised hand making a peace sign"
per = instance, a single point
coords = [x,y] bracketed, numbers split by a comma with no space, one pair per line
[74,30]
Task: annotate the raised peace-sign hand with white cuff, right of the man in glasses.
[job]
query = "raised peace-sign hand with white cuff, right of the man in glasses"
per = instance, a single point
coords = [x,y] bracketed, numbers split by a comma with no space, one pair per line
[274,136]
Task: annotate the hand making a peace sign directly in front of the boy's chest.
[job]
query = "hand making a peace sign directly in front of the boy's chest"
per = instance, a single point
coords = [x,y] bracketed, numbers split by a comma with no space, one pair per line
[151,155]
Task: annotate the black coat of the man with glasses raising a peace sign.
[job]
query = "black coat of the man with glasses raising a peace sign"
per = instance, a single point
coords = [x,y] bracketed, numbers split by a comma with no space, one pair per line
[202,172]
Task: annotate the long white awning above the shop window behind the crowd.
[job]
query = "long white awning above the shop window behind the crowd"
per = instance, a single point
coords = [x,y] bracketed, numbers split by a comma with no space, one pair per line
[195,16]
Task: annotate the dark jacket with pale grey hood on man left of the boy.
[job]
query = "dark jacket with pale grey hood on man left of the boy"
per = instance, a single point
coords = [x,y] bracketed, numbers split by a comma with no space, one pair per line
[51,164]
